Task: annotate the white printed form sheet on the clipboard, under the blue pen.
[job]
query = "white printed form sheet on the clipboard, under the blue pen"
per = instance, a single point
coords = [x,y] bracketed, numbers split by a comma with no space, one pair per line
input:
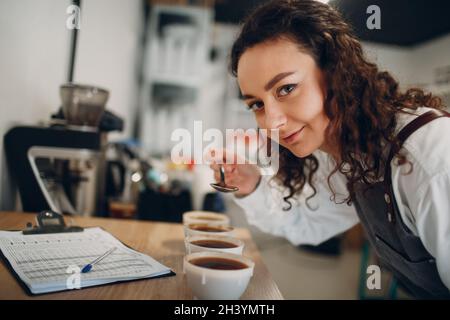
[49,262]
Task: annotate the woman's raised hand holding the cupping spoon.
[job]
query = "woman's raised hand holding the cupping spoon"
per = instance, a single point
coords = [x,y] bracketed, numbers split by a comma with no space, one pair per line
[243,176]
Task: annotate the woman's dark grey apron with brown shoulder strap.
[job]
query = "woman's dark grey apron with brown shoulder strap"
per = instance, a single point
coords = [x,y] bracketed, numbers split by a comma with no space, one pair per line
[399,249]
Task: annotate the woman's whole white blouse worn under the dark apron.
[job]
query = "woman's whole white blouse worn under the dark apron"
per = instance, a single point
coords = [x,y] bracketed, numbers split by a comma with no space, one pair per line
[423,197]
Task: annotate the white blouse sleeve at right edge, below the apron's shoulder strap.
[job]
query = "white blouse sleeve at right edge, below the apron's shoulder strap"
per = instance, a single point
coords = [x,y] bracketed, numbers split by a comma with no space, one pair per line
[423,195]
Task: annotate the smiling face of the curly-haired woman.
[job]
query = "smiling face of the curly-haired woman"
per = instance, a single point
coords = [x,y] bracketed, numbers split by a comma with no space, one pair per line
[286,90]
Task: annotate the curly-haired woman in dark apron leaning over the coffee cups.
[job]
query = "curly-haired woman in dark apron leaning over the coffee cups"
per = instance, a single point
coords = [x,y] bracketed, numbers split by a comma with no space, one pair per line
[342,124]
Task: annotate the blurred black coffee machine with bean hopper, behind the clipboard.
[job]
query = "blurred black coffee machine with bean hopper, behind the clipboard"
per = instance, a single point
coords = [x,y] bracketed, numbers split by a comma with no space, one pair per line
[61,166]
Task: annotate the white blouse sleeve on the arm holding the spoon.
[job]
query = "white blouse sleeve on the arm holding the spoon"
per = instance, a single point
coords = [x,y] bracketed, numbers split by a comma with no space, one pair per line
[302,224]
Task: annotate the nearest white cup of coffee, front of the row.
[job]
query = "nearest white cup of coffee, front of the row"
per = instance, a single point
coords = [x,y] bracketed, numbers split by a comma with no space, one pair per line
[216,284]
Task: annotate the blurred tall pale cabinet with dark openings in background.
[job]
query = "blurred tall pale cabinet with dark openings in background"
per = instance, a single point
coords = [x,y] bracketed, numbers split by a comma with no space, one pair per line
[176,57]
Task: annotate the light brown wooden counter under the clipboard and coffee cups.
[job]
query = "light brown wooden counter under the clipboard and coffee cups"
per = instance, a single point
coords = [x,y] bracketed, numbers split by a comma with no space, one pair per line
[162,241]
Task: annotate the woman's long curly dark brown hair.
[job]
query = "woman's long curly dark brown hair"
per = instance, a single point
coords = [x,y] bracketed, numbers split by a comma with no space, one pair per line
[361,101]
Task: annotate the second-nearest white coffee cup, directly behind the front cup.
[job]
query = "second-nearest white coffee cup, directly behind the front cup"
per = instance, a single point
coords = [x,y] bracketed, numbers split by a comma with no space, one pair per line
[192,246]
